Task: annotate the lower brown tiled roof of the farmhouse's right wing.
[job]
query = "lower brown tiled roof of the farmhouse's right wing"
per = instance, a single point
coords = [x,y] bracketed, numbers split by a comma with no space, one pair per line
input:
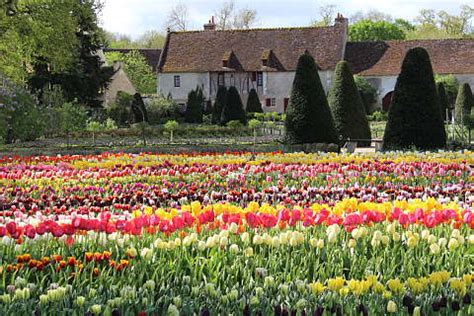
[450,56]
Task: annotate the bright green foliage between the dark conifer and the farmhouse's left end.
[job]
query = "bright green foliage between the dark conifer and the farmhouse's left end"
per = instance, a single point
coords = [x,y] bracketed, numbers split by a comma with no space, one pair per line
[137,69]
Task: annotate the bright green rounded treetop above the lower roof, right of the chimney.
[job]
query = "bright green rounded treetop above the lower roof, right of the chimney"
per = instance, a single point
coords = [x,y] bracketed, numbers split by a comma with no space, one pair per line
[367,30]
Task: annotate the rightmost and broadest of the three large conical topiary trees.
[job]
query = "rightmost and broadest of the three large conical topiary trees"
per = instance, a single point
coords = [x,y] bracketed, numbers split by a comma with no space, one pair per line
[414,119]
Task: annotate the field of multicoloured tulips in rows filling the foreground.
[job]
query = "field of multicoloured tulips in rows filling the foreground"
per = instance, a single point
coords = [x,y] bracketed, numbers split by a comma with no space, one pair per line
[237,234]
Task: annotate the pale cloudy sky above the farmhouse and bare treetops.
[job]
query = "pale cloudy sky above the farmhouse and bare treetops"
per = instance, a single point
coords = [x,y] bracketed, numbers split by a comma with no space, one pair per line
[134,17]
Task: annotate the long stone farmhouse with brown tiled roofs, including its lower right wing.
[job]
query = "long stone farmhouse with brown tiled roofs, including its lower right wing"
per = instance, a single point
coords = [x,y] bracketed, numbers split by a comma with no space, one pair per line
[266,60]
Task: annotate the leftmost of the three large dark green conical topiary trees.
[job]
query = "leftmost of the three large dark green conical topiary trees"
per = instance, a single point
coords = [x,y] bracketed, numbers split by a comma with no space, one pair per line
[308,117]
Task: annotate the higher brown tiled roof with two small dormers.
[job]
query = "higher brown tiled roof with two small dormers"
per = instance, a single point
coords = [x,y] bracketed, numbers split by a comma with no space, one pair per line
[203,51]
